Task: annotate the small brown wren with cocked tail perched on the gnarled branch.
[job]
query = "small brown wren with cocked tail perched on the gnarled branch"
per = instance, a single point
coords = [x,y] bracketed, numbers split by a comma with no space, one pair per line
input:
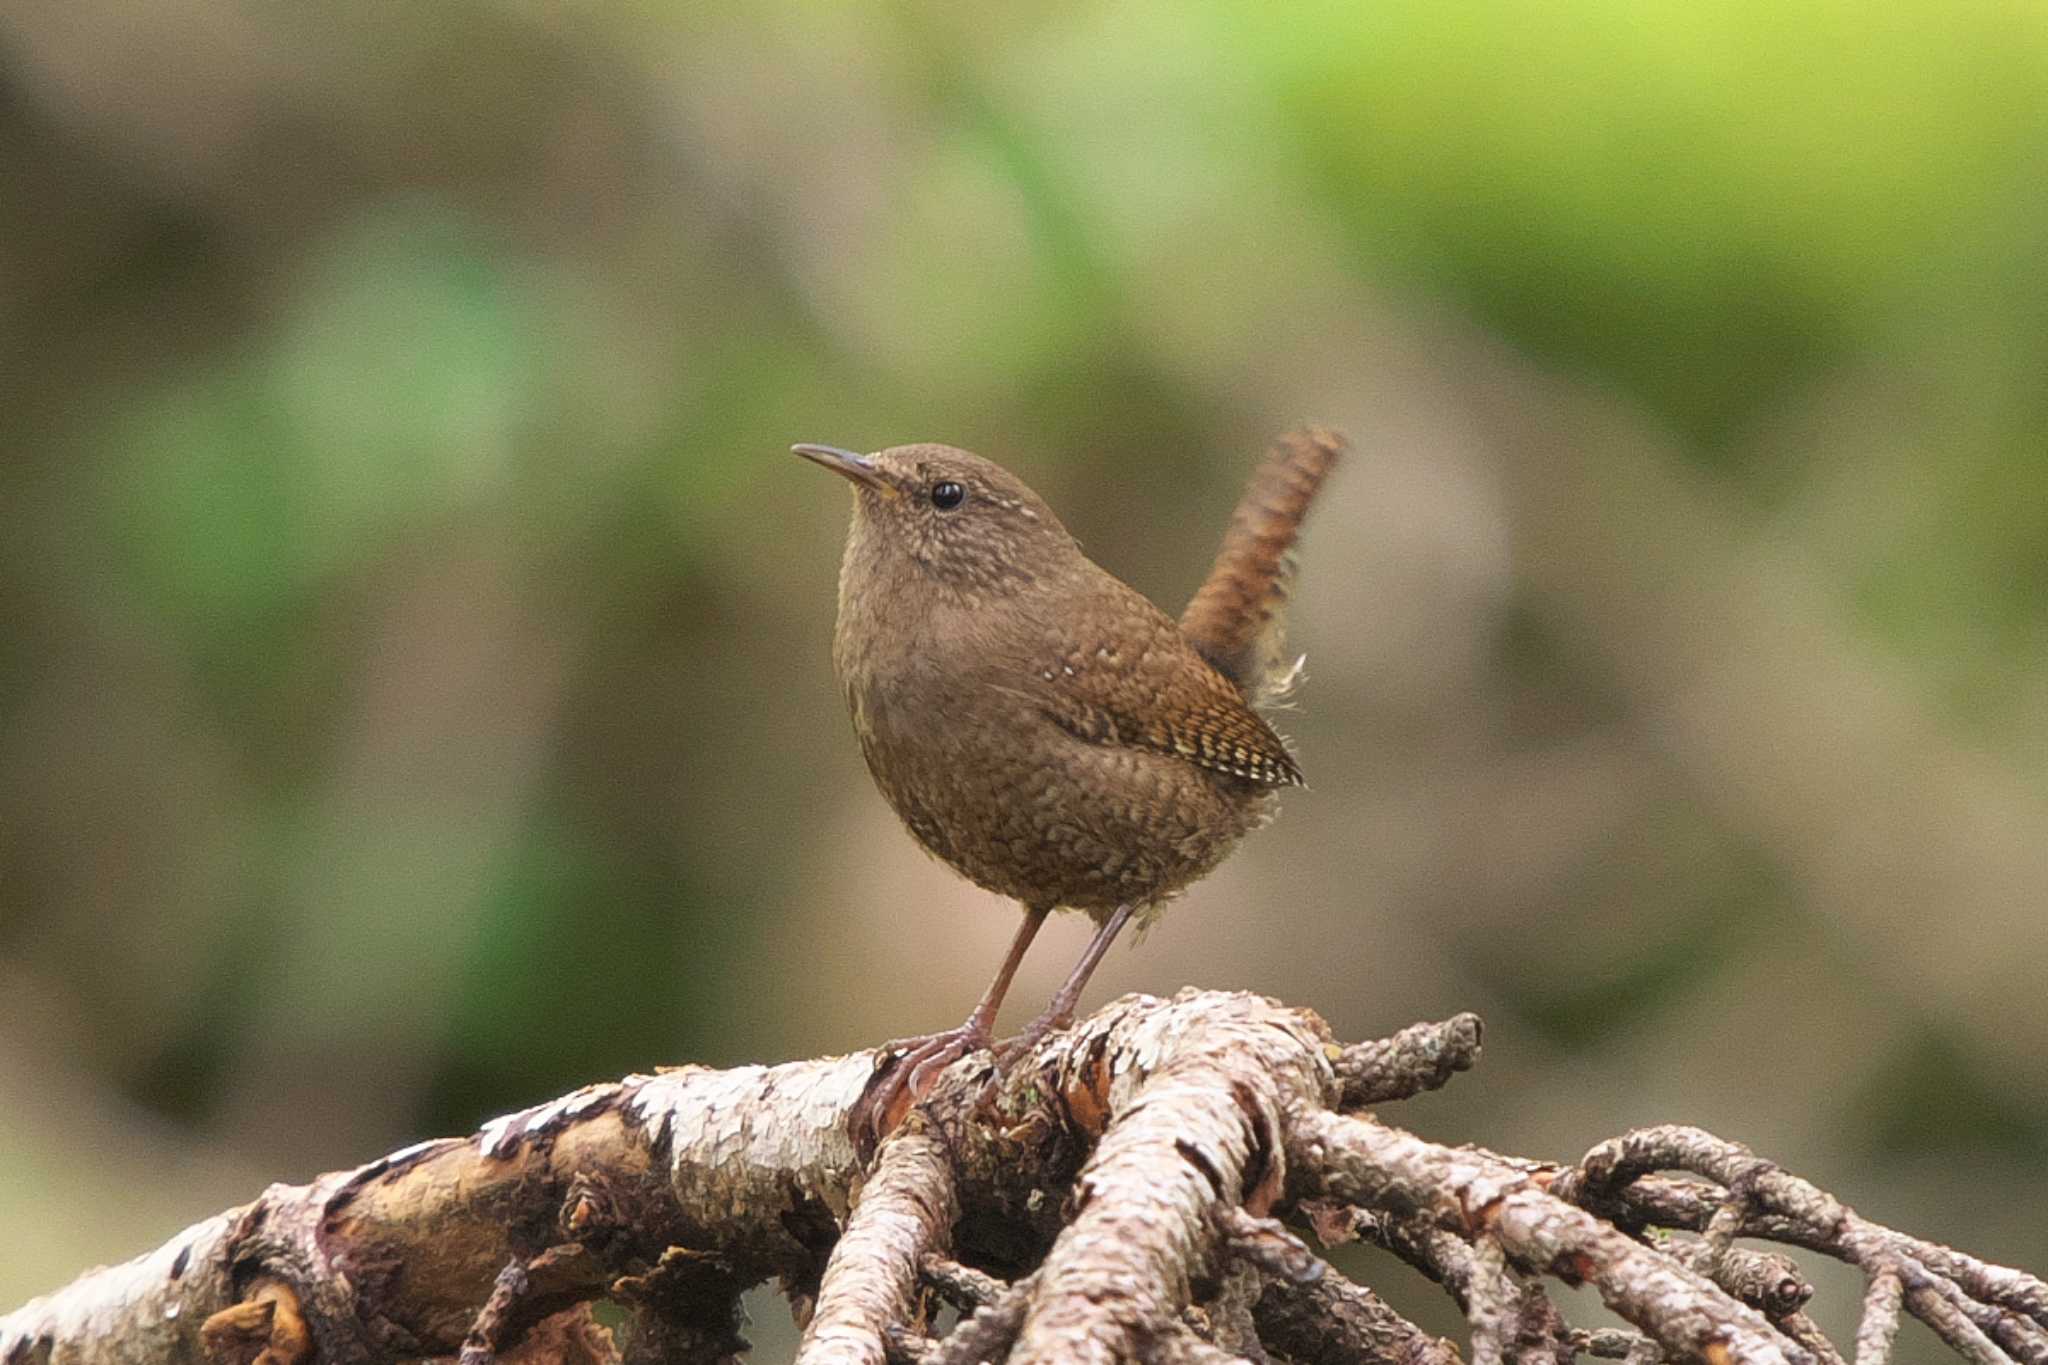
[1043,728]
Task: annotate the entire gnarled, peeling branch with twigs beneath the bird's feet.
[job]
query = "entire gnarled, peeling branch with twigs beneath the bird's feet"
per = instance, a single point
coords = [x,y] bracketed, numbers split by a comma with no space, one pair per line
[1127,1192]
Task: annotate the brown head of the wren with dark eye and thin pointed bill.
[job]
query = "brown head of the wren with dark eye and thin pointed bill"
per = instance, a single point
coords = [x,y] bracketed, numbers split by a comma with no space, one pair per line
[949,517]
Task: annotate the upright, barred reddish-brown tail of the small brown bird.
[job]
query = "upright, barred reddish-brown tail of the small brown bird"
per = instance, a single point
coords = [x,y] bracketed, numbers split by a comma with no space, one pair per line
[1238,619]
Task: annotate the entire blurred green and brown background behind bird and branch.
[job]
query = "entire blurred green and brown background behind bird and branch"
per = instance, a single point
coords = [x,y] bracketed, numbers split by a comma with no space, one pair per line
[415,685]
